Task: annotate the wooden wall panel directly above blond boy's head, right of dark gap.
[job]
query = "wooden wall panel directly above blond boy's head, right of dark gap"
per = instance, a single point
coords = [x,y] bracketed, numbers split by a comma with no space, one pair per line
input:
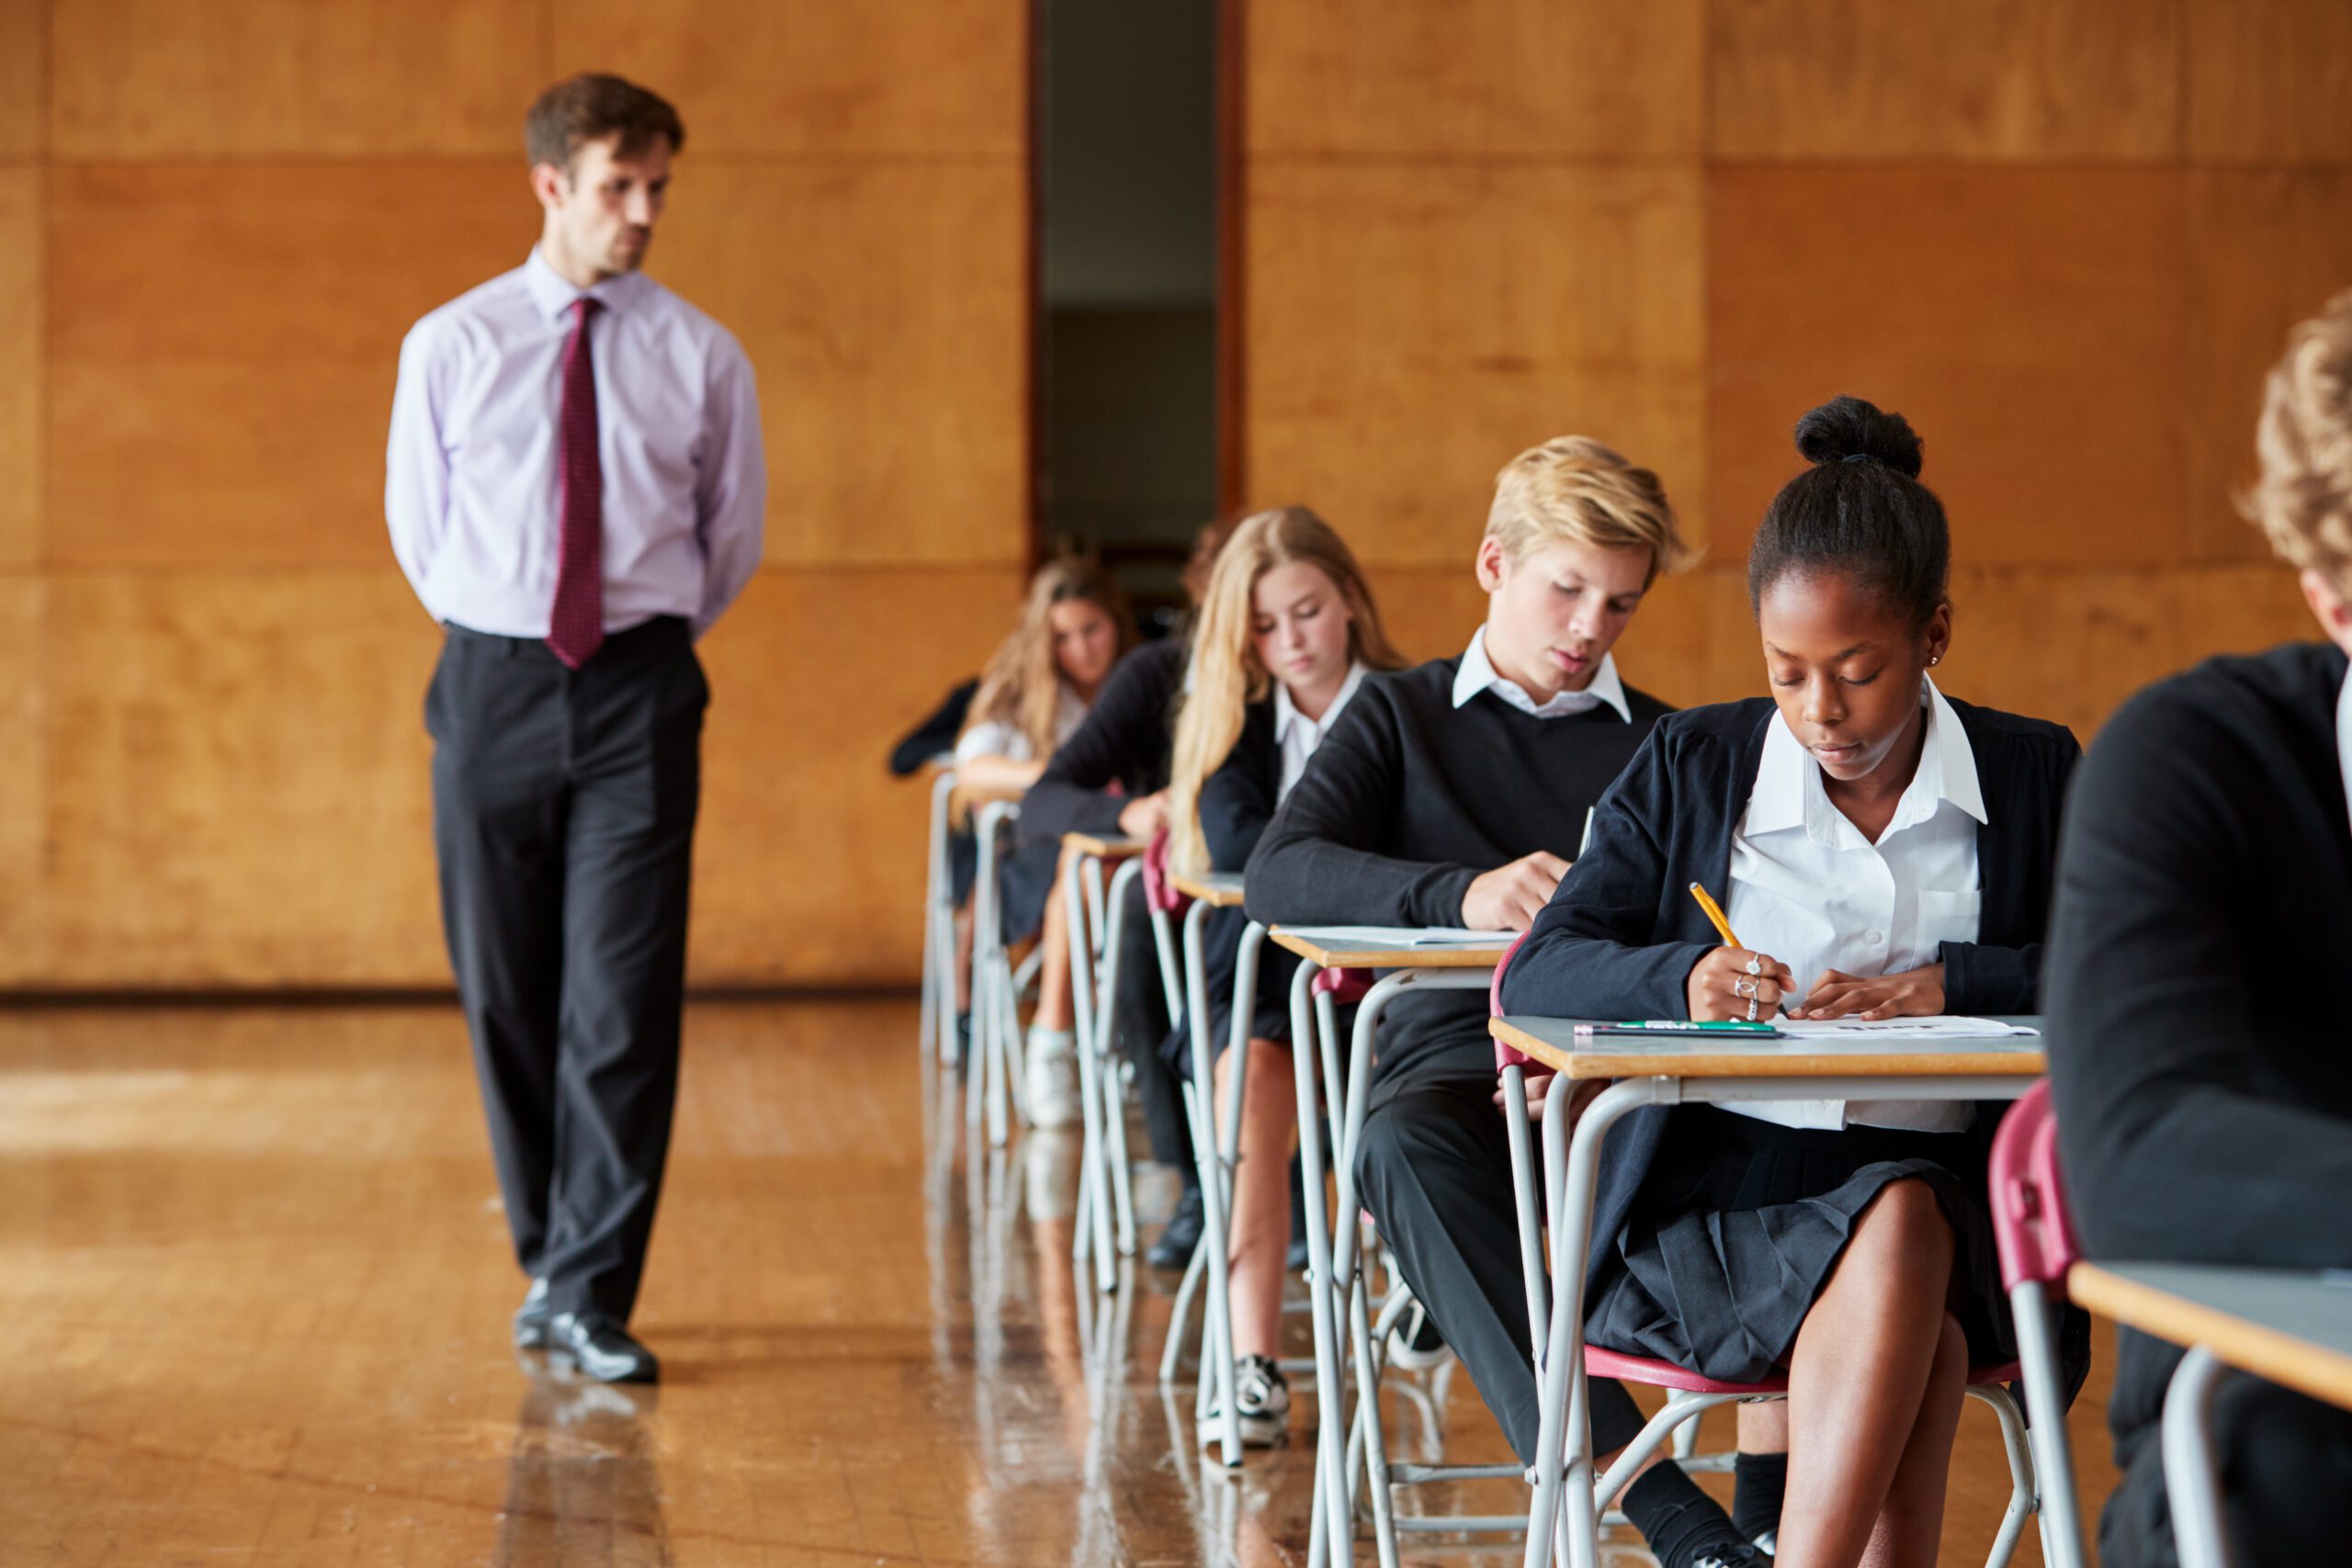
[1410,330]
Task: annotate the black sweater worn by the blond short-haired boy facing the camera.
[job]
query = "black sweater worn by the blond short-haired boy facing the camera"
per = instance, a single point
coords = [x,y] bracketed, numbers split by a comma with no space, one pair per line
[1408,803]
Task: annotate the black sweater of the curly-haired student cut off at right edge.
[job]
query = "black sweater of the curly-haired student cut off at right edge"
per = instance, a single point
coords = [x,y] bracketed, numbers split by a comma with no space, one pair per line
[2198,972]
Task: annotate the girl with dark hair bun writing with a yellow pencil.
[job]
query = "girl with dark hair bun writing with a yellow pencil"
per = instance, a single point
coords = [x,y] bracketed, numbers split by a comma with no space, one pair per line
[1887,852]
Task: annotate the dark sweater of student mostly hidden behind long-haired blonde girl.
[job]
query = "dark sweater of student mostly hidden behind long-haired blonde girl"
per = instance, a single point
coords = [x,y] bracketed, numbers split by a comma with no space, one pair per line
[1125,742]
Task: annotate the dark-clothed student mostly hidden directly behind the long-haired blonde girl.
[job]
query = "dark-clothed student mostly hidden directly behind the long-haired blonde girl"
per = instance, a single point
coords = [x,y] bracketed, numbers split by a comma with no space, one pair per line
[1111,777]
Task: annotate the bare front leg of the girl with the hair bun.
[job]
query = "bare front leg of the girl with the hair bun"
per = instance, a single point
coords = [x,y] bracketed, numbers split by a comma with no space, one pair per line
[1859,1376]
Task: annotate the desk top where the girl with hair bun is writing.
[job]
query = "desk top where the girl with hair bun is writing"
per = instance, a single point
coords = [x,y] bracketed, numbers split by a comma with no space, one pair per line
[1683,1057]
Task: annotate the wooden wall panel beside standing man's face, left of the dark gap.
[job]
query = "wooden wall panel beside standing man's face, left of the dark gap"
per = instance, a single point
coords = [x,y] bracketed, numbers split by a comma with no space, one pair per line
[883,309]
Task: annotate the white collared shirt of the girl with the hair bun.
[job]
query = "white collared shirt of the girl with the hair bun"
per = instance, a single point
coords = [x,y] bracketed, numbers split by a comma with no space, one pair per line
[1812,892]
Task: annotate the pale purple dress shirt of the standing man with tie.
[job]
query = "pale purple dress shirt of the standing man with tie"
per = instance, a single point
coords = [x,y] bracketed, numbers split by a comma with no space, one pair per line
[472,476]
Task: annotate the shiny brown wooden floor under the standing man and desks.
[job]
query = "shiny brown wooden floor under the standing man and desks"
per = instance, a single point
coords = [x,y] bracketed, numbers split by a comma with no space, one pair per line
[258,1287]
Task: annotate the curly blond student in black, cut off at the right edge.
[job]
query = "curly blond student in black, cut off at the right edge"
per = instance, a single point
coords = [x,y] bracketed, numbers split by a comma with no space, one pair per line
[2196,996]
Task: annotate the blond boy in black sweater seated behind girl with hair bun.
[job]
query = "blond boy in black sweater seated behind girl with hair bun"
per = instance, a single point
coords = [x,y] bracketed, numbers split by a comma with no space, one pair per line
[1450,796]
